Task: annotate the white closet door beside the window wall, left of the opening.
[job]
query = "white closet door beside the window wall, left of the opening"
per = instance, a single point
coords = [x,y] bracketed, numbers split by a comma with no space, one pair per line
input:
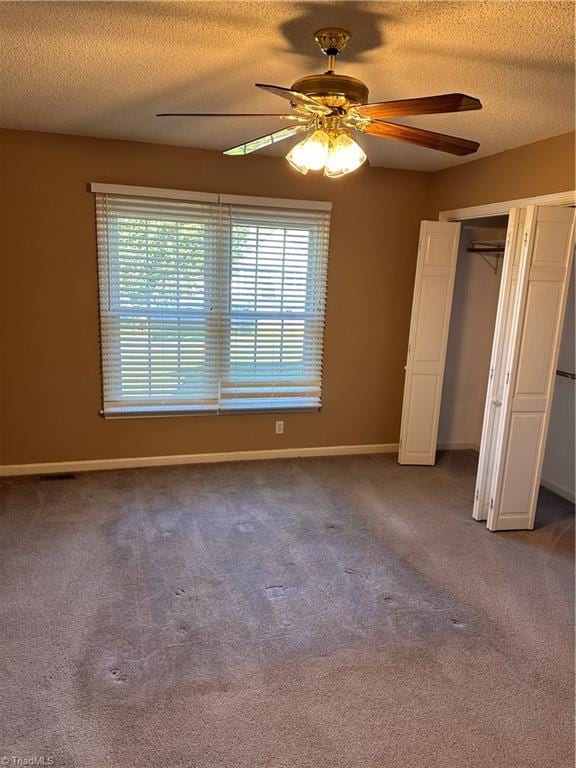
[431,308]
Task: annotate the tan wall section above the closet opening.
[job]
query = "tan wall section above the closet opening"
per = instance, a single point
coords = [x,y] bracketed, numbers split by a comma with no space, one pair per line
[535,169]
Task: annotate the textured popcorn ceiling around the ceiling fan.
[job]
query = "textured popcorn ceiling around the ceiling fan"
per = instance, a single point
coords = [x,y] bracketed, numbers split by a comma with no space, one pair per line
[105,69]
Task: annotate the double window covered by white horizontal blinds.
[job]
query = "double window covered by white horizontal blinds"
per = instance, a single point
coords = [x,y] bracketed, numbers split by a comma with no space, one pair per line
[210,303]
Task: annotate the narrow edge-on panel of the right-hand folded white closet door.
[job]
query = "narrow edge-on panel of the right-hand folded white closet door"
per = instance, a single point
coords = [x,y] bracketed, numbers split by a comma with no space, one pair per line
[493,407]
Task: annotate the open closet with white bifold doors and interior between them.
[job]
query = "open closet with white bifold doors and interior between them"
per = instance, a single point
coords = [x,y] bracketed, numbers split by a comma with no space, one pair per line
[483,350]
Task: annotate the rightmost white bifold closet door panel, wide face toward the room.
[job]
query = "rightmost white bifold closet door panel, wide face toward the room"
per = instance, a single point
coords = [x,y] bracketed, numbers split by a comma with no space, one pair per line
[531,364]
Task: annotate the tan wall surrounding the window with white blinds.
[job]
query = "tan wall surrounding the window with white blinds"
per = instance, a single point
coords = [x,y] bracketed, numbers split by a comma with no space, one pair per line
[51,381]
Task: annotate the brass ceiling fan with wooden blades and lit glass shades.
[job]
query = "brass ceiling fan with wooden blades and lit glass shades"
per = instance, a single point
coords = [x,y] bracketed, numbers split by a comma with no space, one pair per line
[330,107]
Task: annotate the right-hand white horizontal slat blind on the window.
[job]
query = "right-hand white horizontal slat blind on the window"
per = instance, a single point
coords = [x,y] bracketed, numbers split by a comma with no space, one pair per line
[278,258]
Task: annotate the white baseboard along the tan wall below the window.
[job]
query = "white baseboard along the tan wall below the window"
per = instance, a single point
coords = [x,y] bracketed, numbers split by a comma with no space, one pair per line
[91,465]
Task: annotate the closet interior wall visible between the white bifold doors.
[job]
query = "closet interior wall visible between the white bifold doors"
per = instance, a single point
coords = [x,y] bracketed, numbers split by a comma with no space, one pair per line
[472,322]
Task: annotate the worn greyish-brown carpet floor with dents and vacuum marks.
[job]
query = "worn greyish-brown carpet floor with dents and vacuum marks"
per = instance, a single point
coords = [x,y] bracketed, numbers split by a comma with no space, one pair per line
[316,613]
